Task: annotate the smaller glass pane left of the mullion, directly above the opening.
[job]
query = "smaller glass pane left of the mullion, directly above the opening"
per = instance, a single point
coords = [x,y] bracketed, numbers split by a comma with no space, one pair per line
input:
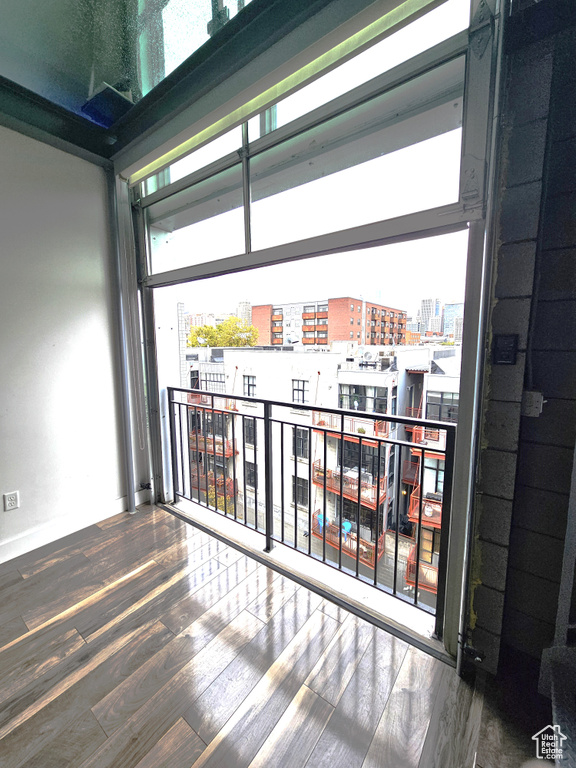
[202,223]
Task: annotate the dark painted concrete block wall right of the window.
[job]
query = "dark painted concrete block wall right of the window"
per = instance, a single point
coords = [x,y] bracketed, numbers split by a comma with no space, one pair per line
[525,463]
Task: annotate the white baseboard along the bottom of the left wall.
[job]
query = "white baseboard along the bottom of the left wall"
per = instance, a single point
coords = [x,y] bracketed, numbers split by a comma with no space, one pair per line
[55,529]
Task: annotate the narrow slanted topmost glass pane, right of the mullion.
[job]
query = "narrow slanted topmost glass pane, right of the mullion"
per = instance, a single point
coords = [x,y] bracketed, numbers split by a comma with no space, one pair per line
[434,27]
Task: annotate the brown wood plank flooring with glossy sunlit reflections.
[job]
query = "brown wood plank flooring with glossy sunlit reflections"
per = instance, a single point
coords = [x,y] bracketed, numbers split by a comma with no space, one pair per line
[142,642]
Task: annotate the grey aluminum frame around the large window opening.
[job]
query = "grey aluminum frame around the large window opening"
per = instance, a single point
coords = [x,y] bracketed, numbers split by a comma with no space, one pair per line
[482,45]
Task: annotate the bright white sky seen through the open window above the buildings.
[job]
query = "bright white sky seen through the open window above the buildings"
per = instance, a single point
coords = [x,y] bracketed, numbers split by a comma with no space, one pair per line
[397,275]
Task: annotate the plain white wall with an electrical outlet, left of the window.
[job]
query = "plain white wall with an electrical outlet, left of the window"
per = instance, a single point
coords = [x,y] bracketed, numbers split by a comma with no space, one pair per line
[59,394]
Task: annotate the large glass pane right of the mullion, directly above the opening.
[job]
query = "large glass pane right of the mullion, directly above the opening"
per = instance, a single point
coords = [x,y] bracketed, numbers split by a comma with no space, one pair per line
[395,155]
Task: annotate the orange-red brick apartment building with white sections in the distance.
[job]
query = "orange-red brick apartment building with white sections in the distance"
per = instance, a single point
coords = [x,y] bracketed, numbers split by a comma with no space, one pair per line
[317,323]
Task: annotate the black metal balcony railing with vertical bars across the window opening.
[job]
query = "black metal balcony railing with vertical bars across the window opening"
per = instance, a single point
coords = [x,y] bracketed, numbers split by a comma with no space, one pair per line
[276,468]
